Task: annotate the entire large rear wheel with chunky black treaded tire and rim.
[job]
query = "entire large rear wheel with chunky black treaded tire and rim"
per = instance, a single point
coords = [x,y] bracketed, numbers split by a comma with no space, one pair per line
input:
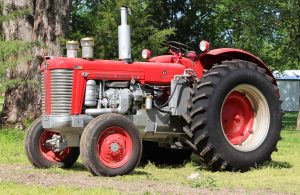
[234,116]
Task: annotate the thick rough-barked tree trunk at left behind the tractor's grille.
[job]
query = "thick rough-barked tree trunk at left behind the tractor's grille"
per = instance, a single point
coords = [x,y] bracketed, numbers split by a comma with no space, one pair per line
[42,26]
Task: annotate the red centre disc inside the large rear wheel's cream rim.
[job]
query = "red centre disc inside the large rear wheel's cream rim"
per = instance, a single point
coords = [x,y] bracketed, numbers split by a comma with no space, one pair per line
[237,118]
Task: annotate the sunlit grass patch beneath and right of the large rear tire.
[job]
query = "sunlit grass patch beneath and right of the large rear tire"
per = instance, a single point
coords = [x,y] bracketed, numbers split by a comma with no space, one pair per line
[280,175]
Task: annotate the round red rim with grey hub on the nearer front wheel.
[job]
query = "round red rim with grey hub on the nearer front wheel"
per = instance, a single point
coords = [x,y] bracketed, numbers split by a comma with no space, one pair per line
[114,147]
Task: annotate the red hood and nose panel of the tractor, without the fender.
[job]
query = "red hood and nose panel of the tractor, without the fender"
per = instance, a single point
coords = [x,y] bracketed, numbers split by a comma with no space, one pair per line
[83,70]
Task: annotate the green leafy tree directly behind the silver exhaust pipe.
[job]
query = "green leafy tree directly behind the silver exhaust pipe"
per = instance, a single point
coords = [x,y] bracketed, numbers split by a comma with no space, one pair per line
[100,19]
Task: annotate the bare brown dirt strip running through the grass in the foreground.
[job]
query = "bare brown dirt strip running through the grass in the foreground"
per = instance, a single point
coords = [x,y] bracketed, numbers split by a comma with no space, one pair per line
[29,176]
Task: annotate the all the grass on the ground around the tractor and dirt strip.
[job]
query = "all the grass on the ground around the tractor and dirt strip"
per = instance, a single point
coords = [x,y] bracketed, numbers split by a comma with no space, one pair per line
[282,174]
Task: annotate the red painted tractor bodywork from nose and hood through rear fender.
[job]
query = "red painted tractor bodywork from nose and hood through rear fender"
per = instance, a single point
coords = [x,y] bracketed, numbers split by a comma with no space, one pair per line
[159,70]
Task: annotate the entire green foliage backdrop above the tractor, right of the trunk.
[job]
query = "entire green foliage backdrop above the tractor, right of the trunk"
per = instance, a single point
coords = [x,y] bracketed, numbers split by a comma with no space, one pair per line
[268,29]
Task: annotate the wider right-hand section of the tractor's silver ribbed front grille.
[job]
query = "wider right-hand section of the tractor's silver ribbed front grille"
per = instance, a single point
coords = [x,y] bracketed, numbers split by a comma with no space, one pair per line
[61,91]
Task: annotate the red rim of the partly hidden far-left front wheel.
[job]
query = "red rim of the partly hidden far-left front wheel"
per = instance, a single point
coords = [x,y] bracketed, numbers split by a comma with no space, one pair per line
[47,152]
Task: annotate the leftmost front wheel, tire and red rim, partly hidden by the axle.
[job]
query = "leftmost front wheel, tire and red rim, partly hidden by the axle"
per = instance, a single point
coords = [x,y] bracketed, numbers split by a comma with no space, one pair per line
[42,157]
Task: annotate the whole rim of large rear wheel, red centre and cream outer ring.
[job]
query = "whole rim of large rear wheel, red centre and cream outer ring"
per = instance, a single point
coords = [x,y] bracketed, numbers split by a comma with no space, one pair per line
[245,118]
